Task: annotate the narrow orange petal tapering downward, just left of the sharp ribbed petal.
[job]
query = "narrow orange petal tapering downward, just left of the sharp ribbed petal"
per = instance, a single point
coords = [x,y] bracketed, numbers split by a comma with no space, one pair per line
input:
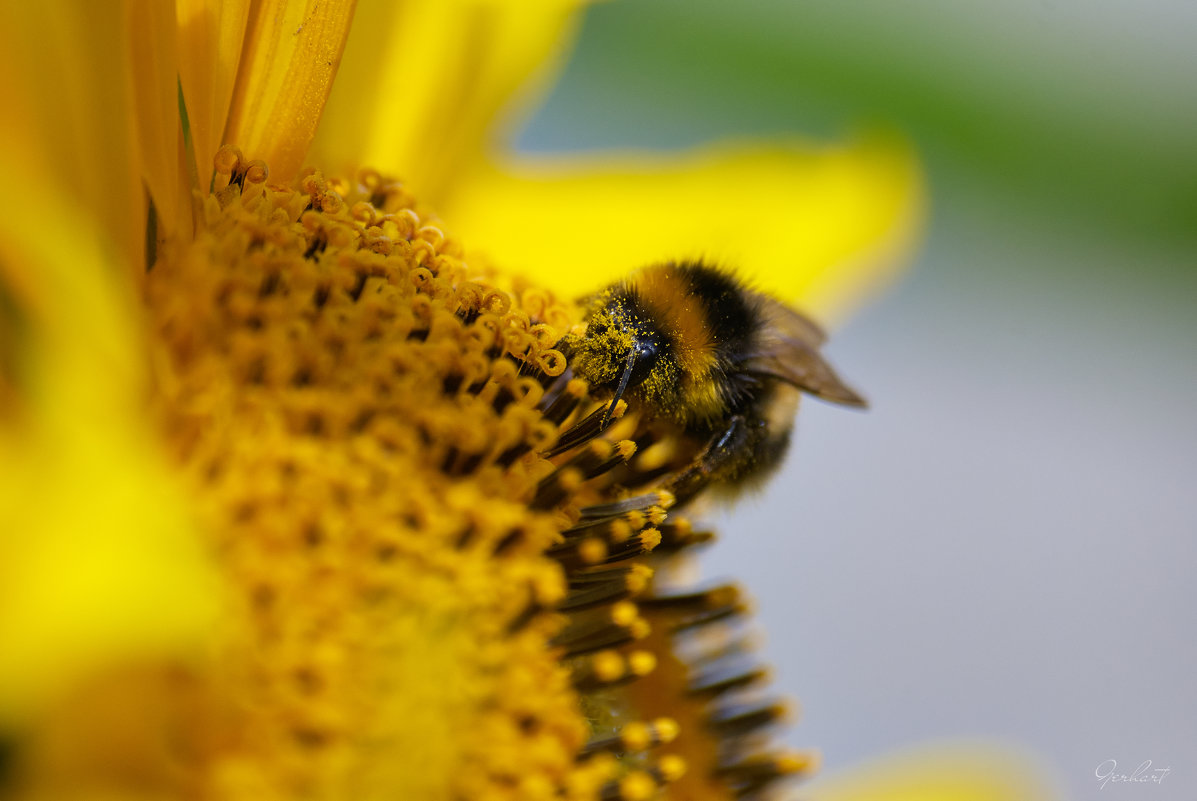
[211,34]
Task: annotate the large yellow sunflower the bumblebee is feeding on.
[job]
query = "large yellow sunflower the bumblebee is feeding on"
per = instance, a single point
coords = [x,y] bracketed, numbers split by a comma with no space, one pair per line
[277,514]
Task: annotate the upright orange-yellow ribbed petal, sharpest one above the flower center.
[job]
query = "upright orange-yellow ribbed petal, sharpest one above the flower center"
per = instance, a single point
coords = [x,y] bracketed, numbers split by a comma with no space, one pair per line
[293,52]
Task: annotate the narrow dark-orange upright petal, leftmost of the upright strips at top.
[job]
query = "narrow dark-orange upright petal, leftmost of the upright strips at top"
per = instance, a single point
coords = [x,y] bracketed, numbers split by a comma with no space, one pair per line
[155,76]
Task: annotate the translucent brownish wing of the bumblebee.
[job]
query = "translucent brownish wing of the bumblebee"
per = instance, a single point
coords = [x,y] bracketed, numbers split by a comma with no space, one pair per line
[789,351]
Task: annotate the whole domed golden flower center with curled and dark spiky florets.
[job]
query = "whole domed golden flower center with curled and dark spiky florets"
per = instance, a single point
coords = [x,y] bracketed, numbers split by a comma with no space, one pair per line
[438,582]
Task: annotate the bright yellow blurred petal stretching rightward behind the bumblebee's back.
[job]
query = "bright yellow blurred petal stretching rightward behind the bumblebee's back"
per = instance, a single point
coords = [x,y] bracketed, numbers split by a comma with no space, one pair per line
[817,227]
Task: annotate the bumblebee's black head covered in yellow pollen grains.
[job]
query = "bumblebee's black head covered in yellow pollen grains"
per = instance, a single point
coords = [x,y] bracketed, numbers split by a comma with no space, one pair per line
[624,351]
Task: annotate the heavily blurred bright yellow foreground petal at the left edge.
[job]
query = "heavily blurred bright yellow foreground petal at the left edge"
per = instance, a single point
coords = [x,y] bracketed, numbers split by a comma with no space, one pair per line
[99,561]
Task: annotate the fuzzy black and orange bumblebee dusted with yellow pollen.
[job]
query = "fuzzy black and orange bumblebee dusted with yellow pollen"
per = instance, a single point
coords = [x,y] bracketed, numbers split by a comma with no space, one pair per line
[698,353]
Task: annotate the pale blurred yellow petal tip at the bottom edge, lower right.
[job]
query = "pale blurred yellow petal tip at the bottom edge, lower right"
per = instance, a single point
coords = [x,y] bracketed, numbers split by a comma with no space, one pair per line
[946,773]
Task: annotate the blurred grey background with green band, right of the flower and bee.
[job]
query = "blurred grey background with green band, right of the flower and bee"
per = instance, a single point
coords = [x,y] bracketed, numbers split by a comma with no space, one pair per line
[1004,547]
